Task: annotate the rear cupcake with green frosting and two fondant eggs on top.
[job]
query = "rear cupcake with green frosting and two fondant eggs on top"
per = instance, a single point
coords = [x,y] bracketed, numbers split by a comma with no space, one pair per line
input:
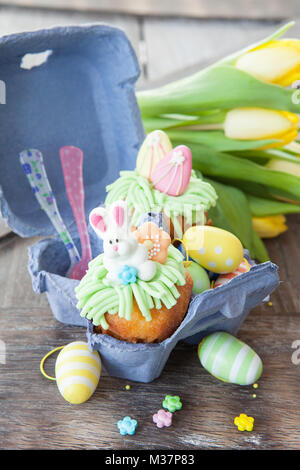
[164,181]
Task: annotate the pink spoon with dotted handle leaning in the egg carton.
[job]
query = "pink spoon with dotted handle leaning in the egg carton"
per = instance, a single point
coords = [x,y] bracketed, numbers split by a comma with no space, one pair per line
[71,160]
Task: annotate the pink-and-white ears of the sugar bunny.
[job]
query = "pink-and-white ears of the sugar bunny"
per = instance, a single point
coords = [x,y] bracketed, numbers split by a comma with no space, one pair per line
[115,218]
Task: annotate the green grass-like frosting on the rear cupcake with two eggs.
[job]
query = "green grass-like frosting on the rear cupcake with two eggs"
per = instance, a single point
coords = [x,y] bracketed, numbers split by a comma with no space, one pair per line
[142,197]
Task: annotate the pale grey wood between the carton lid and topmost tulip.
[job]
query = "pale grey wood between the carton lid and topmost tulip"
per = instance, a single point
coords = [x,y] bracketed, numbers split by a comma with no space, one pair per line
[175,45]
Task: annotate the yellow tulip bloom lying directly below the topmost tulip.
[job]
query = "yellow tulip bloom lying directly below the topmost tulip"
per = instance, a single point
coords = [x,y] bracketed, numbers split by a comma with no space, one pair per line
[260,123]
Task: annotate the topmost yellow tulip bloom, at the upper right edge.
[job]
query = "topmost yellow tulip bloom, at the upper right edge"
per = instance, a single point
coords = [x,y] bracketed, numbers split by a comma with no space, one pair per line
[275,62]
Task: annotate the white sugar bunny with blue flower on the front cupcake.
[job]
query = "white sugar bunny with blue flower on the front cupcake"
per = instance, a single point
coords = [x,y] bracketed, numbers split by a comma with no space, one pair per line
[124,258]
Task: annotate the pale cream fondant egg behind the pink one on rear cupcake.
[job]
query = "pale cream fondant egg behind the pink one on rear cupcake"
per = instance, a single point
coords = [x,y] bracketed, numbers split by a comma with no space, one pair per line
[156,145]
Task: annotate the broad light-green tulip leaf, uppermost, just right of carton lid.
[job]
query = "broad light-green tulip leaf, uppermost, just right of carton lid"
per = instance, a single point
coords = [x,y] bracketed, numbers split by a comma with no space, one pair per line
[219,87]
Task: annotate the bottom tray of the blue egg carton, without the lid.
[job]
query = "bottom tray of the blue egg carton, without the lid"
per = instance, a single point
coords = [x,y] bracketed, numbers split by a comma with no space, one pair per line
[221,309]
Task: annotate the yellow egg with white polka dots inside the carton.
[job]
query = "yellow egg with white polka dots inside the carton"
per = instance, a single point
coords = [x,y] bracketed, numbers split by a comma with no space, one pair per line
[213,248]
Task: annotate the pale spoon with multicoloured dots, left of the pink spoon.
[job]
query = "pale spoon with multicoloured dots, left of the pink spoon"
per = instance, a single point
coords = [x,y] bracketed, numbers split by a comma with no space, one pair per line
[33,166]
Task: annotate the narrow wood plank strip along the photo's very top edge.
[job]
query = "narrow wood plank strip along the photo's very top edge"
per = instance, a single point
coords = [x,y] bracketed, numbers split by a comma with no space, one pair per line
[192,8]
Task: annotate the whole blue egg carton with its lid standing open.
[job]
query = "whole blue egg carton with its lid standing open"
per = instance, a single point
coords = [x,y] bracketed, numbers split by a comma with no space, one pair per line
[83,95]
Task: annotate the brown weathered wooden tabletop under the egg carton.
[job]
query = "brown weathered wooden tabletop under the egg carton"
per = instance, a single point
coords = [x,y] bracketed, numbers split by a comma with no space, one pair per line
[34,415]
